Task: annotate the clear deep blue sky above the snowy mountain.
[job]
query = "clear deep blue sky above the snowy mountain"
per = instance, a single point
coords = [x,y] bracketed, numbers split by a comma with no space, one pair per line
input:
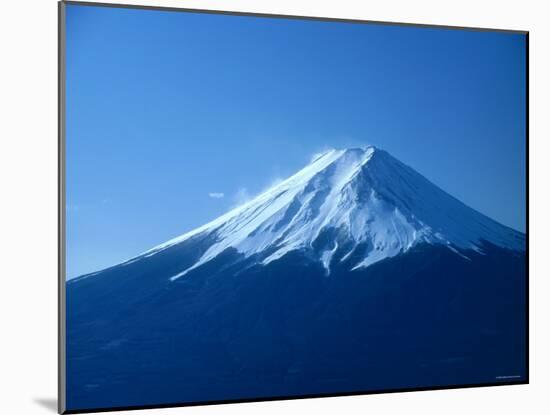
[166,108]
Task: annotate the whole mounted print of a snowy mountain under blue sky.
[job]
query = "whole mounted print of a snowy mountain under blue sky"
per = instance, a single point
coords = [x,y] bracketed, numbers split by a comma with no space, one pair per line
[258,207]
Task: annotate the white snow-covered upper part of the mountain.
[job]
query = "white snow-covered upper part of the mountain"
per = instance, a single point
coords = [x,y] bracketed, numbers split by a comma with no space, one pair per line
[372,205]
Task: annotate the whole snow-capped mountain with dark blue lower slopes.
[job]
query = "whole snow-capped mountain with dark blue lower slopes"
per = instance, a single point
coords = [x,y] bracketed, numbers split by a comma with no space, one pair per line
[354,274]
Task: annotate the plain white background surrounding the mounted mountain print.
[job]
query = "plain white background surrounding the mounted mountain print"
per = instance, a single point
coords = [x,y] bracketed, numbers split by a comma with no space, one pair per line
[28,187]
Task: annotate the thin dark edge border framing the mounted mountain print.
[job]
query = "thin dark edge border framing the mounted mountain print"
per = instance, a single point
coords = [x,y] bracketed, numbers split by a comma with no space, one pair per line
[62,219]
